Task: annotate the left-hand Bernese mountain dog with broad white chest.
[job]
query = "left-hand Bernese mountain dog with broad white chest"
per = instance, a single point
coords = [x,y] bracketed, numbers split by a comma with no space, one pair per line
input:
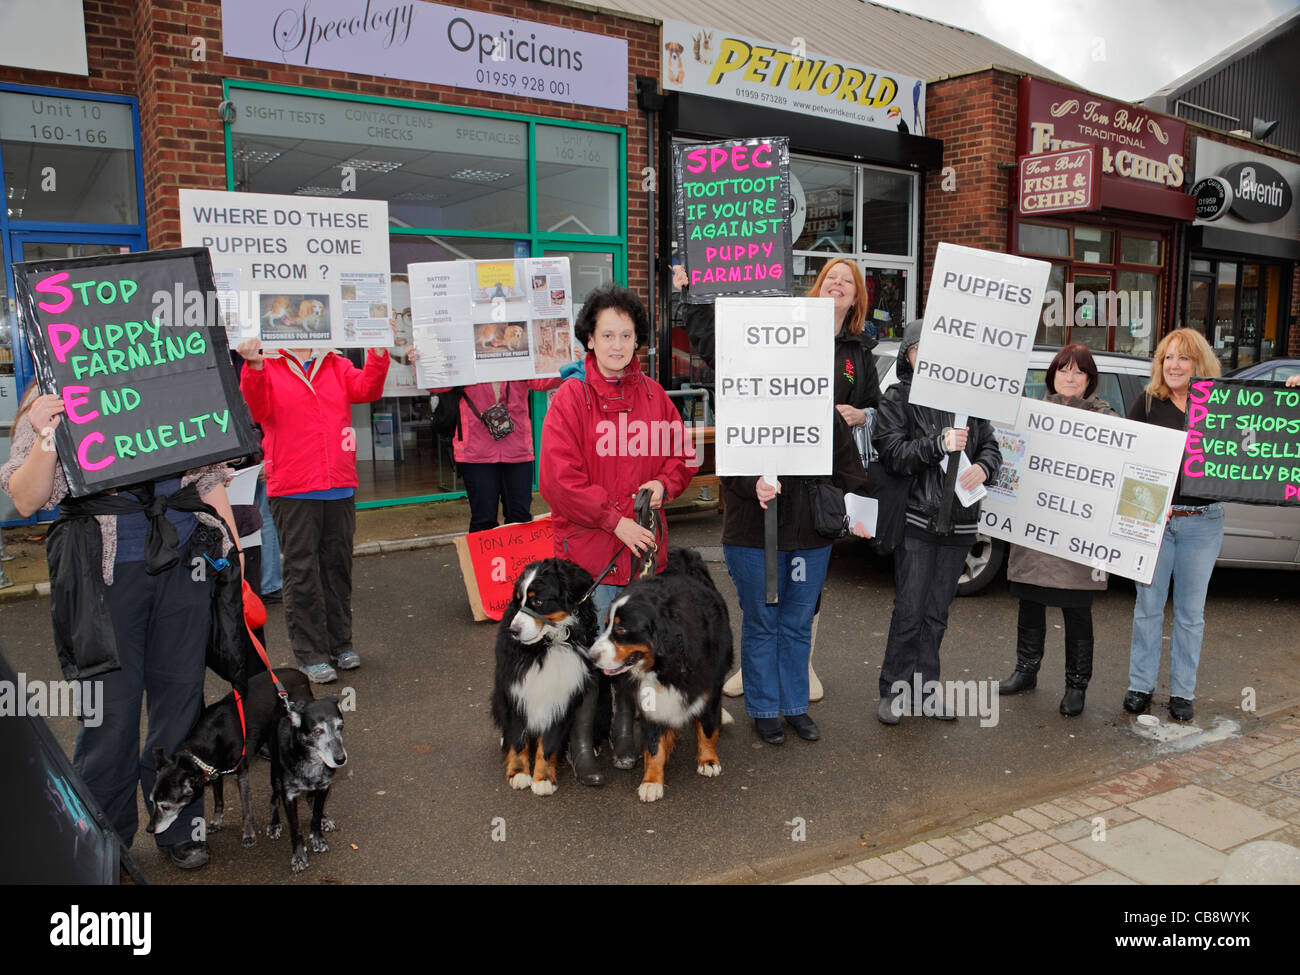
[543,670]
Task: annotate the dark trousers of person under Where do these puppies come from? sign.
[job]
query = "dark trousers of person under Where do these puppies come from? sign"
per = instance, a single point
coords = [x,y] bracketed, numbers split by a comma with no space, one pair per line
[317,545]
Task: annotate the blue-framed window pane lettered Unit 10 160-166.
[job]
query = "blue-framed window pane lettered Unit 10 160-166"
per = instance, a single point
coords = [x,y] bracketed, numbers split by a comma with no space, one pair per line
[68,161]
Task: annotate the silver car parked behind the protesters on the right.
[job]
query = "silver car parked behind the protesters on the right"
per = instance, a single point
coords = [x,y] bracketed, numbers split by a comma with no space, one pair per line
[1255,536]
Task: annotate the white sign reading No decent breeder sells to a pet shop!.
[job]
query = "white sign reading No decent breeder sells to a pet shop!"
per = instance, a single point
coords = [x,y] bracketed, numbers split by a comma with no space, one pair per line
[1087,488]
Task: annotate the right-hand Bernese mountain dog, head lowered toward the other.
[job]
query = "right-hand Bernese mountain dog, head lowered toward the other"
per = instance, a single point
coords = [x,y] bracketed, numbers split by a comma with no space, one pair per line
[671,634]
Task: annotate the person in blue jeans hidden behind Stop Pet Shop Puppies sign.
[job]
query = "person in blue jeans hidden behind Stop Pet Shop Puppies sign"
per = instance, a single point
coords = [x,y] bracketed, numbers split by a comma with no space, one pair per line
[777,642]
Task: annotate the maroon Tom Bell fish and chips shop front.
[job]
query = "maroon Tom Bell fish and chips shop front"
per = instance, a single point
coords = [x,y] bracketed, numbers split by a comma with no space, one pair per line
[1115,249]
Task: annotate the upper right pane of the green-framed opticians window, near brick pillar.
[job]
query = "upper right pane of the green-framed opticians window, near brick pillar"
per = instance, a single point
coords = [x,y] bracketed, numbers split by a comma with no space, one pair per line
[578,190]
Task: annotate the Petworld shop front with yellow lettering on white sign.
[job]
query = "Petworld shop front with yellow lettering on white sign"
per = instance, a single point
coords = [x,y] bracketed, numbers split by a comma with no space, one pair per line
[859,158]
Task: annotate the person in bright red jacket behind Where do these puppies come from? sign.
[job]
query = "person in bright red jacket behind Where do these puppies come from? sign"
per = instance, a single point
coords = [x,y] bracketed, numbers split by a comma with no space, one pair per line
[304,400]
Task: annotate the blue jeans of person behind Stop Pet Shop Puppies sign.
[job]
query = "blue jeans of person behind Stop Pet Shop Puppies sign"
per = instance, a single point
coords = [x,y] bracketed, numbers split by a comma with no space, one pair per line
[777,640]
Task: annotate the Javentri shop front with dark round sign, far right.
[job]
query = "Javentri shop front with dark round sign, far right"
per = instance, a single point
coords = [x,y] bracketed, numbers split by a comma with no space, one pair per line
[1243,252]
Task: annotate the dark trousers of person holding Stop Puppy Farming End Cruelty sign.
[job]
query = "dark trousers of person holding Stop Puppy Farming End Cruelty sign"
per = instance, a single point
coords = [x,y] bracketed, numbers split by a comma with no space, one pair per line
[162,629]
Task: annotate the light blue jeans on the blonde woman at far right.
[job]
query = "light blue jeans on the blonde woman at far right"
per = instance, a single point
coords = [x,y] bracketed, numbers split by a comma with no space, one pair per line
[1186,556]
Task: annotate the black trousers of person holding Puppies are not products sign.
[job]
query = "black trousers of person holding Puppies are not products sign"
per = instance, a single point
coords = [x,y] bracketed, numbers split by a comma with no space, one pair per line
[926,577]
